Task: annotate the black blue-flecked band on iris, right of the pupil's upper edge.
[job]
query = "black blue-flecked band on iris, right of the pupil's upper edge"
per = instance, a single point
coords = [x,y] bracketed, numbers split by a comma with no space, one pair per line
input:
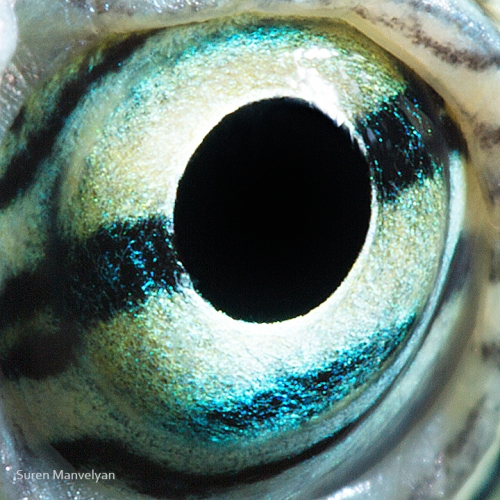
[408,139]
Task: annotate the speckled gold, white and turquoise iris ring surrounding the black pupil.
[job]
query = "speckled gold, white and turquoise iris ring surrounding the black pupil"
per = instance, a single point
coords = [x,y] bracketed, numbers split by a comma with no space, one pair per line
[205,384]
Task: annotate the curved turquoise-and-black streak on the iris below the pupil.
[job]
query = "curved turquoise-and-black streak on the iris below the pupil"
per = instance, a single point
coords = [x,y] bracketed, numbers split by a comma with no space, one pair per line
[308,395]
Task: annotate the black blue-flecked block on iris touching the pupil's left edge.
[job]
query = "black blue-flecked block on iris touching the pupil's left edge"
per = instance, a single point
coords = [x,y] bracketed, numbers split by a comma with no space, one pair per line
[118,267]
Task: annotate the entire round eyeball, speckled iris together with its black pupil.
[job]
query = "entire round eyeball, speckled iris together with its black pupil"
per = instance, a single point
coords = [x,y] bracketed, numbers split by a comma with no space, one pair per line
[245,226]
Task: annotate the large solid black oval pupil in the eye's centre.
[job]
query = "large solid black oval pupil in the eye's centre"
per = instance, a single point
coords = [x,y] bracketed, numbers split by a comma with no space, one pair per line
[272,210]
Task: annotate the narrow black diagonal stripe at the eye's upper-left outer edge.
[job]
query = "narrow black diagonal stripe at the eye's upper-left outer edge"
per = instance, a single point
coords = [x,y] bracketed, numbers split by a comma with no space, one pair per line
[25,165]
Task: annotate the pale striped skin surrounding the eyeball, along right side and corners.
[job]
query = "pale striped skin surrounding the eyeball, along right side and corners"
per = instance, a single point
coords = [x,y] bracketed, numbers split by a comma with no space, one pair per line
[454,434]
